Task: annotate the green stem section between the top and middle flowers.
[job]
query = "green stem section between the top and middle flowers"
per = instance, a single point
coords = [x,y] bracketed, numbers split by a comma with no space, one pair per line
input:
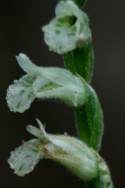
[81,61]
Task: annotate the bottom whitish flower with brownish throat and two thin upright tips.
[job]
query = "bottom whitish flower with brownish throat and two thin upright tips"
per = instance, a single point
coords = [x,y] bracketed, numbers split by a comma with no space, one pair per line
[72,153]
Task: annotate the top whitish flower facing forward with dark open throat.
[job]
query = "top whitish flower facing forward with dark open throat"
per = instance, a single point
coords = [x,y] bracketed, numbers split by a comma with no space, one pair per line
[68,30]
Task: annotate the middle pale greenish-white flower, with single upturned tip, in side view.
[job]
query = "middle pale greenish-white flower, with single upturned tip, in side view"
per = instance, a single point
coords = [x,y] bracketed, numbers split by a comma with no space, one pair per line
[43,83]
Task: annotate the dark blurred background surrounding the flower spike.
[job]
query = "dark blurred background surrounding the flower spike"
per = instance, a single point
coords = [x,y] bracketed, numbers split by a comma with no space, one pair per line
[20,23]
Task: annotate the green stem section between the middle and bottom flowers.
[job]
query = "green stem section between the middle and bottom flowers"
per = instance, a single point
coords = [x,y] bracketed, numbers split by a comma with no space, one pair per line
[89,121]
